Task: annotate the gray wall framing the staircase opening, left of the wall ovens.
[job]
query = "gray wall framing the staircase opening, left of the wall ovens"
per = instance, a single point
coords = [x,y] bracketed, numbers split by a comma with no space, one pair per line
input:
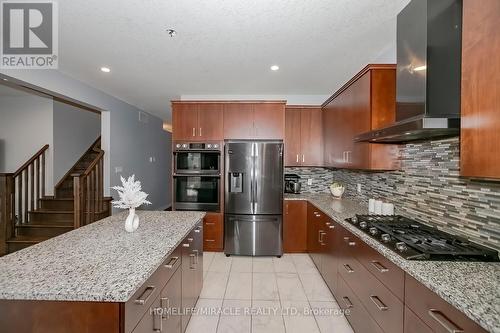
[127,143]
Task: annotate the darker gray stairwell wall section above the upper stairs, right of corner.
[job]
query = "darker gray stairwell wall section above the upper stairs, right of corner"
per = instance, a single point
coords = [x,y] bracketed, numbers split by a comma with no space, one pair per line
[75,130]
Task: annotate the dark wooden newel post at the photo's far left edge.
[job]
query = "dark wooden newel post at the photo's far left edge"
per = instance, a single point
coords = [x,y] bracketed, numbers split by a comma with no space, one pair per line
[7,220]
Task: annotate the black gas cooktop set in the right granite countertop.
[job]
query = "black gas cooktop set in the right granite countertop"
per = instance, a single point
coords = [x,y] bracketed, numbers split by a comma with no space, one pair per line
[416,241]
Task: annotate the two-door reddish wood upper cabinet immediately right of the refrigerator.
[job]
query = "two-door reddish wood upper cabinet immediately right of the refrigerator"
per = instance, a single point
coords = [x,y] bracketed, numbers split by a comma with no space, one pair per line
[303,136]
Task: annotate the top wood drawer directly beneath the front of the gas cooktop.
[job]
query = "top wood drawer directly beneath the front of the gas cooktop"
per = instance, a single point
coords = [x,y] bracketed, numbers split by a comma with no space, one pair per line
[383,269]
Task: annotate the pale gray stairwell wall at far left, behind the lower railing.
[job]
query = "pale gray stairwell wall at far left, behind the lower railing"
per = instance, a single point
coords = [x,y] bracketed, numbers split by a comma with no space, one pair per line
[26,124]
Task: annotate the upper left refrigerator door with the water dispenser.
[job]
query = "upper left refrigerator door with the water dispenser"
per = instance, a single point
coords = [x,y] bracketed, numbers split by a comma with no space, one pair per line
[239,161]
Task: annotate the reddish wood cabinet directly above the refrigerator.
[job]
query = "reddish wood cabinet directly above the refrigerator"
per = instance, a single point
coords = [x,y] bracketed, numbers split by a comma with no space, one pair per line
[247,120]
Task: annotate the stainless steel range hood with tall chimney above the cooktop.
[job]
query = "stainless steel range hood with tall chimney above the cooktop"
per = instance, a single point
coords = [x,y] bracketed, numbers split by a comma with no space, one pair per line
[428,73]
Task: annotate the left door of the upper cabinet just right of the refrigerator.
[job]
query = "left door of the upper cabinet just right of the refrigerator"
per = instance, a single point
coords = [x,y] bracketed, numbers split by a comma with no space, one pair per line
[292,137]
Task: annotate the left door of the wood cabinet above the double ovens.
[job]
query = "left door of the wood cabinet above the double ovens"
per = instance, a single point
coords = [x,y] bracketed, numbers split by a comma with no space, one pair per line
[184,121]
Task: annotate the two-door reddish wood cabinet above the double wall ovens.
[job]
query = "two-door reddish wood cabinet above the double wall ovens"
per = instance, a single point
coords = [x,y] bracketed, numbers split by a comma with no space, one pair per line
[197,121]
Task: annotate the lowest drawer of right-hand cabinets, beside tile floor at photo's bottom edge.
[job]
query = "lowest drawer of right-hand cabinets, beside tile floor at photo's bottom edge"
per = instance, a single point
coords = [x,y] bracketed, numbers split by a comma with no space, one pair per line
[357,316]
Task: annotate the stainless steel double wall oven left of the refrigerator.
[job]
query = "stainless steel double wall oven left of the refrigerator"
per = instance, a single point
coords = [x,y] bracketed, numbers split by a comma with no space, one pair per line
[197,176]
